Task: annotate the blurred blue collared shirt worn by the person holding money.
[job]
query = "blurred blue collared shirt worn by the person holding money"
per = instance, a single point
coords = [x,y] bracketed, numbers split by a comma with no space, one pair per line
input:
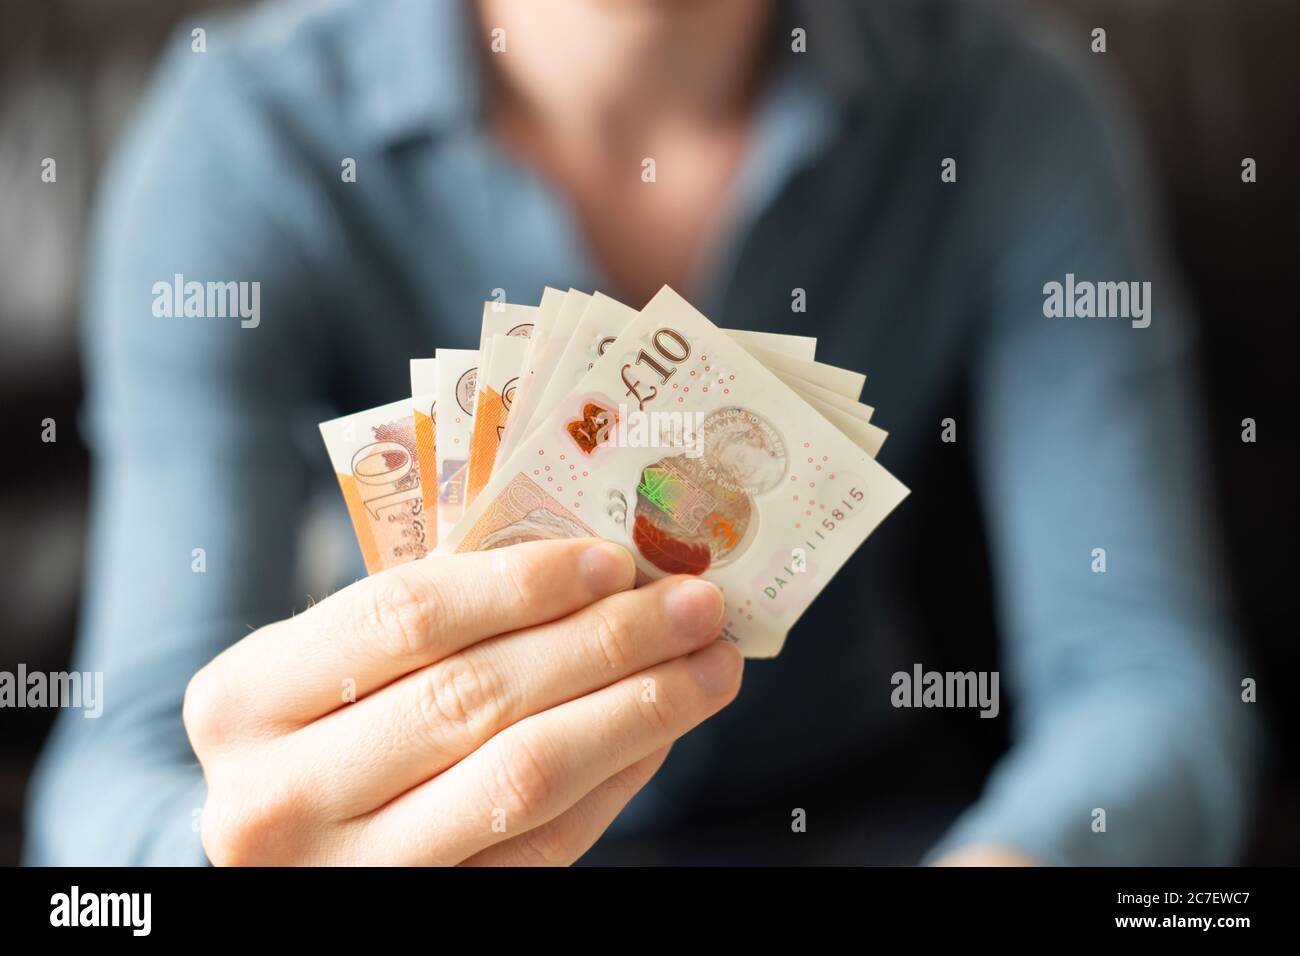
[1123,689]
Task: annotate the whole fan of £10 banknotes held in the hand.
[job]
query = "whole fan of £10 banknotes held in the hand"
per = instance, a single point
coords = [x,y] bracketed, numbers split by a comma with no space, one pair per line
[730,455]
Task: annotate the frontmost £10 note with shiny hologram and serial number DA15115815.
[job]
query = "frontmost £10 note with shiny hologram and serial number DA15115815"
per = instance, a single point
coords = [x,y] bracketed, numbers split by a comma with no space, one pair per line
[683,447]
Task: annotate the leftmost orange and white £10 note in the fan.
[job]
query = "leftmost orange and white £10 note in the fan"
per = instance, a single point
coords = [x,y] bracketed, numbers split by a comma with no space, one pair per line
[376,464]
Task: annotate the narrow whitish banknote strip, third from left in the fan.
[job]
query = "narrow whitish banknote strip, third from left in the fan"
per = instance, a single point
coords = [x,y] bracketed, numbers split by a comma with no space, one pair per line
[456,391]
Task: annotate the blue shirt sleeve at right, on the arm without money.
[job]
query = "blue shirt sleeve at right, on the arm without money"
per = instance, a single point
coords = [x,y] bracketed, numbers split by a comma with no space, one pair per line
[1125,684]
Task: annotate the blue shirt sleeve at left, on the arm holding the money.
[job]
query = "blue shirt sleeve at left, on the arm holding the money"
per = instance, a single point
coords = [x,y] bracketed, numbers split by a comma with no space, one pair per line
[198,481]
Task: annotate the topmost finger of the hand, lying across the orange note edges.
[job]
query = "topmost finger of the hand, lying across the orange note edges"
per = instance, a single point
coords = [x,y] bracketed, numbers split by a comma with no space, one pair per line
[395,622]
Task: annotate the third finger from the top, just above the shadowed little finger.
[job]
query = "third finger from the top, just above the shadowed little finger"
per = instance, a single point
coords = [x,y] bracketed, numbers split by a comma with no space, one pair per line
[539,768]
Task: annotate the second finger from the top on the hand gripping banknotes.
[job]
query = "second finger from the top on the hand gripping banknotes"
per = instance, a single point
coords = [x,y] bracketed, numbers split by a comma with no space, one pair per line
[423,724]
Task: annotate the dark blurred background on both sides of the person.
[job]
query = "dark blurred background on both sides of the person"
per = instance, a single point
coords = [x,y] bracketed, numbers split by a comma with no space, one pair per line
[1204,77]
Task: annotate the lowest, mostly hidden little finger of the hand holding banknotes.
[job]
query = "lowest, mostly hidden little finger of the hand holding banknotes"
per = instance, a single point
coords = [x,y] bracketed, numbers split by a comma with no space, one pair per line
[569,837]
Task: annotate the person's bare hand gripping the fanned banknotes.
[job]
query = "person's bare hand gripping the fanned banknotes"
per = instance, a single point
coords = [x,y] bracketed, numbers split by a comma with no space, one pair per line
[508,707]
